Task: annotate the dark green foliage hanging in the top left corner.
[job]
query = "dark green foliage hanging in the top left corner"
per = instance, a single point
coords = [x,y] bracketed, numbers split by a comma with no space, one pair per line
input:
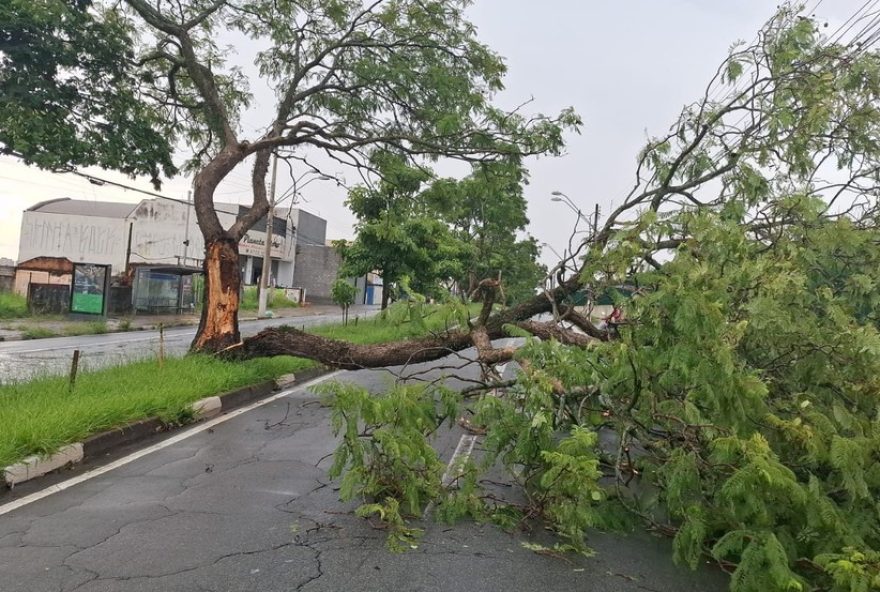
[69,91]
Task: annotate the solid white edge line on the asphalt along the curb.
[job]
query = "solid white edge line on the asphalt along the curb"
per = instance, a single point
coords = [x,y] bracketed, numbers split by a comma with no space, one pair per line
[58,487]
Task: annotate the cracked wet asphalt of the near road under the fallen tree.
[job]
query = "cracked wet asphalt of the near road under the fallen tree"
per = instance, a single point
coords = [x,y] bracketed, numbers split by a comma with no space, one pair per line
[245,505]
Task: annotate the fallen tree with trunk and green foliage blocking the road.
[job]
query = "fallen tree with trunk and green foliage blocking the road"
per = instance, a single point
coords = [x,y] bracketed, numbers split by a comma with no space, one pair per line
[737,407]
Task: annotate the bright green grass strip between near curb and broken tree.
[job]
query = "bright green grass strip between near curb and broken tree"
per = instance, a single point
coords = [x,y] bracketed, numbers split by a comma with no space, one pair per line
[40,416]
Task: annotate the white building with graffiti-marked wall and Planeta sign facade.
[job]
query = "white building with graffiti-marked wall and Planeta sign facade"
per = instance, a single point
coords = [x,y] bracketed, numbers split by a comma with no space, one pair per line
[158,231]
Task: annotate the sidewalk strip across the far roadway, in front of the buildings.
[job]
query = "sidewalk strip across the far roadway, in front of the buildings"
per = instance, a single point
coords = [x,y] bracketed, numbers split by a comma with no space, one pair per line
[57,326]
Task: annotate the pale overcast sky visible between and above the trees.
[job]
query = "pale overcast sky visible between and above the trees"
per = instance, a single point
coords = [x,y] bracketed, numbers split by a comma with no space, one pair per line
[626,67]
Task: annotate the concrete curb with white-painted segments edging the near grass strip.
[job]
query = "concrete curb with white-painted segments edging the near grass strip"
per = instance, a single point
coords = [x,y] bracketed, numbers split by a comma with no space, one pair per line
[102,443]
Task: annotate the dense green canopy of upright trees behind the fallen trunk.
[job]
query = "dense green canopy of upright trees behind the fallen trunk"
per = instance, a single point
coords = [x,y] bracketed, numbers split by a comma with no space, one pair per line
[444,231]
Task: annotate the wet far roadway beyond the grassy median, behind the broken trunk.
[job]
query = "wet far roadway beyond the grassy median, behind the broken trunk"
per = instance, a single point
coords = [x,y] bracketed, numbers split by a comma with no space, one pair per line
[21,360]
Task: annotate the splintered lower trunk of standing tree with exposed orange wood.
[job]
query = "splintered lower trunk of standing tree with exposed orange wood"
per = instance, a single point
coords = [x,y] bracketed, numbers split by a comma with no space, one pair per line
[218,328]
